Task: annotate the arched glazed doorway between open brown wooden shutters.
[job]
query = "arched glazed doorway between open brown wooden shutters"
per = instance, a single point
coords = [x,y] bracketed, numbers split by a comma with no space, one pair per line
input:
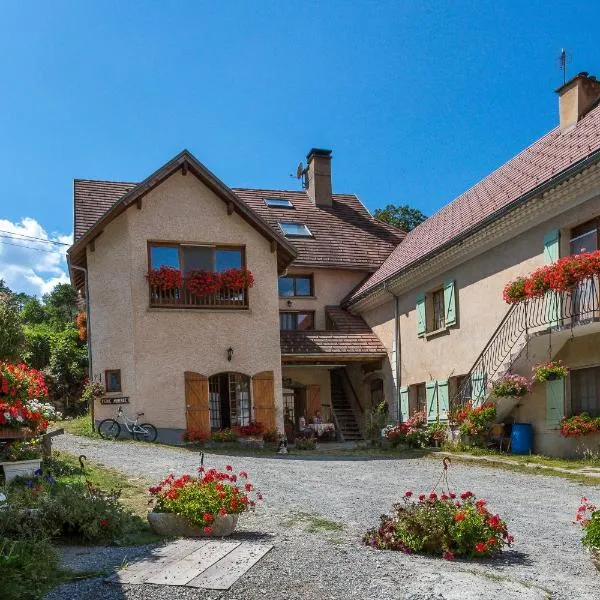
[229,400]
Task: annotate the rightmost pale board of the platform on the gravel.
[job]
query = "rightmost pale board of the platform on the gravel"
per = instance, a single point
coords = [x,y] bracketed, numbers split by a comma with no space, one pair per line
[224,573]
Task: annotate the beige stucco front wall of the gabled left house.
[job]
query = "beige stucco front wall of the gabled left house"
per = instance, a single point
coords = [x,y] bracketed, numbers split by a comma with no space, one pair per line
[153,347]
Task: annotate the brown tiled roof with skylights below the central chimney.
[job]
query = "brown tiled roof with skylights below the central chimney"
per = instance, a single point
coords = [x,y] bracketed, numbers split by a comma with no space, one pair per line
[345,235]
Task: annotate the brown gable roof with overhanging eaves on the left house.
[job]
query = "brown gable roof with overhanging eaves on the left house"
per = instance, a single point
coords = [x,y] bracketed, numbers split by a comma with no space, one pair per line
[93,198]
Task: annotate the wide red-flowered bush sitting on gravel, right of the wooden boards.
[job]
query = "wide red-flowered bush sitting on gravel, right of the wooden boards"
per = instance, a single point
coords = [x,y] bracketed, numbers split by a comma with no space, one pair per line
[443,525]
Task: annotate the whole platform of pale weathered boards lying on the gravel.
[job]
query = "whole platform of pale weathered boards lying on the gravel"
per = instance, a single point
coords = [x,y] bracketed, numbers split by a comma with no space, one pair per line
[208,564]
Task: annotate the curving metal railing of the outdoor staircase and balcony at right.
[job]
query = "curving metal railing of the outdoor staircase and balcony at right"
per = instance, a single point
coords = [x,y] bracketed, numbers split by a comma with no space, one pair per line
[553,310]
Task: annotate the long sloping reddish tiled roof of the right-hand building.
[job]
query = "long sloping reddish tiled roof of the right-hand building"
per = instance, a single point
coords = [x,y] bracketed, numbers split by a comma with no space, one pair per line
[556,154]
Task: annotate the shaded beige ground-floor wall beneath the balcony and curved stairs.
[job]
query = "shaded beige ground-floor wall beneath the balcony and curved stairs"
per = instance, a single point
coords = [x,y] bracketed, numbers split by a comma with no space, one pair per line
[576,353]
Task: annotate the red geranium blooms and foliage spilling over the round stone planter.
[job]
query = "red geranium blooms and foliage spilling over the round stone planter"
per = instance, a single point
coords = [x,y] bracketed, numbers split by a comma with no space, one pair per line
[202,499]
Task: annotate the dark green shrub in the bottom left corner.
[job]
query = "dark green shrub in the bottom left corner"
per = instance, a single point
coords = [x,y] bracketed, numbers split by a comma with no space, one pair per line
[28,569]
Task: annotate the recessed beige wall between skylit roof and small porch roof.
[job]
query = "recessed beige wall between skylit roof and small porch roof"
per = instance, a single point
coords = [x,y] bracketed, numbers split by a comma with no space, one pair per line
[331,286]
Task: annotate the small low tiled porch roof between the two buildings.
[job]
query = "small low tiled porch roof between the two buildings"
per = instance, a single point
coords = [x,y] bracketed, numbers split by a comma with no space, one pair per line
[351,339]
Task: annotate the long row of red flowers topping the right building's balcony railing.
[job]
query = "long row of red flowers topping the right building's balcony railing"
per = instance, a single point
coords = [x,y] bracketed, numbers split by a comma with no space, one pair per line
[560,276]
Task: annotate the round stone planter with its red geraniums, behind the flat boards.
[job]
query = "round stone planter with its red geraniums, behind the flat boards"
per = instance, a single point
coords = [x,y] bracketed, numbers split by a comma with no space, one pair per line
[207,505]
